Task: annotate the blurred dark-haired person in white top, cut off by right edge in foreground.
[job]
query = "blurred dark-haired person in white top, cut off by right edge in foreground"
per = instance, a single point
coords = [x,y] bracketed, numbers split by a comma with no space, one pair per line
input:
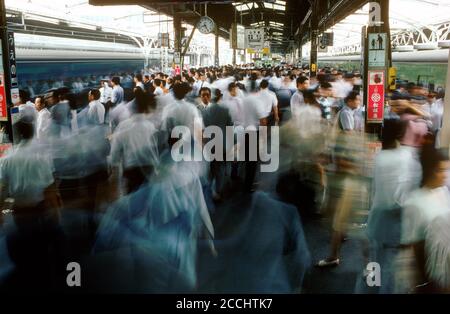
[425,211]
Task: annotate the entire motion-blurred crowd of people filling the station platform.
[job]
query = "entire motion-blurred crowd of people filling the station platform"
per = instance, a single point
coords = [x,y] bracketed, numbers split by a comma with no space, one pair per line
[99,184]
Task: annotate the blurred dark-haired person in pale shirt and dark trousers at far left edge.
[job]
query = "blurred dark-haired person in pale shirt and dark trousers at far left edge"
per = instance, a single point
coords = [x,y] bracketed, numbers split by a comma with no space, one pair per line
[26,174]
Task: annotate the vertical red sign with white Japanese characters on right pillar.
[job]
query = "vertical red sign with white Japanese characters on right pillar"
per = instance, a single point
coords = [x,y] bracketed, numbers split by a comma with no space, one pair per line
[375,99]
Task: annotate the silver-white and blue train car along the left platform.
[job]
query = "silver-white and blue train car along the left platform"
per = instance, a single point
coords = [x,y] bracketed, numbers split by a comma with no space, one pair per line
[43,61]
